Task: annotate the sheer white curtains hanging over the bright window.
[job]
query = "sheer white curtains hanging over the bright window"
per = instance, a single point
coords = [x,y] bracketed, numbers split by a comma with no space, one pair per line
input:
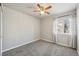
[64,30]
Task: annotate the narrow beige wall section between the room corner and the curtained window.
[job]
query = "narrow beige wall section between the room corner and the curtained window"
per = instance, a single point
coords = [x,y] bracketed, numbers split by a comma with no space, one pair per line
[46,29]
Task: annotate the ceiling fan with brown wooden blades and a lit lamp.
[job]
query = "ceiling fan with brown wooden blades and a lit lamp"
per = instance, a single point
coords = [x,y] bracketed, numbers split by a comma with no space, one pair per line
[43,9]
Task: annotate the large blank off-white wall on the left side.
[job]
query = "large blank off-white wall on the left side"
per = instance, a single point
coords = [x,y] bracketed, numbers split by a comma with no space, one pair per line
[18,29]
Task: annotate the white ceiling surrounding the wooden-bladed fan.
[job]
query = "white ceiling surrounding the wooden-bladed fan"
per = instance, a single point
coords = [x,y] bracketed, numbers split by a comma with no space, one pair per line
[30,7]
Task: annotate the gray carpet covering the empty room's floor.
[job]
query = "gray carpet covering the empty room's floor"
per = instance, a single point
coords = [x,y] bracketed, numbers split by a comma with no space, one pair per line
[41,48]
